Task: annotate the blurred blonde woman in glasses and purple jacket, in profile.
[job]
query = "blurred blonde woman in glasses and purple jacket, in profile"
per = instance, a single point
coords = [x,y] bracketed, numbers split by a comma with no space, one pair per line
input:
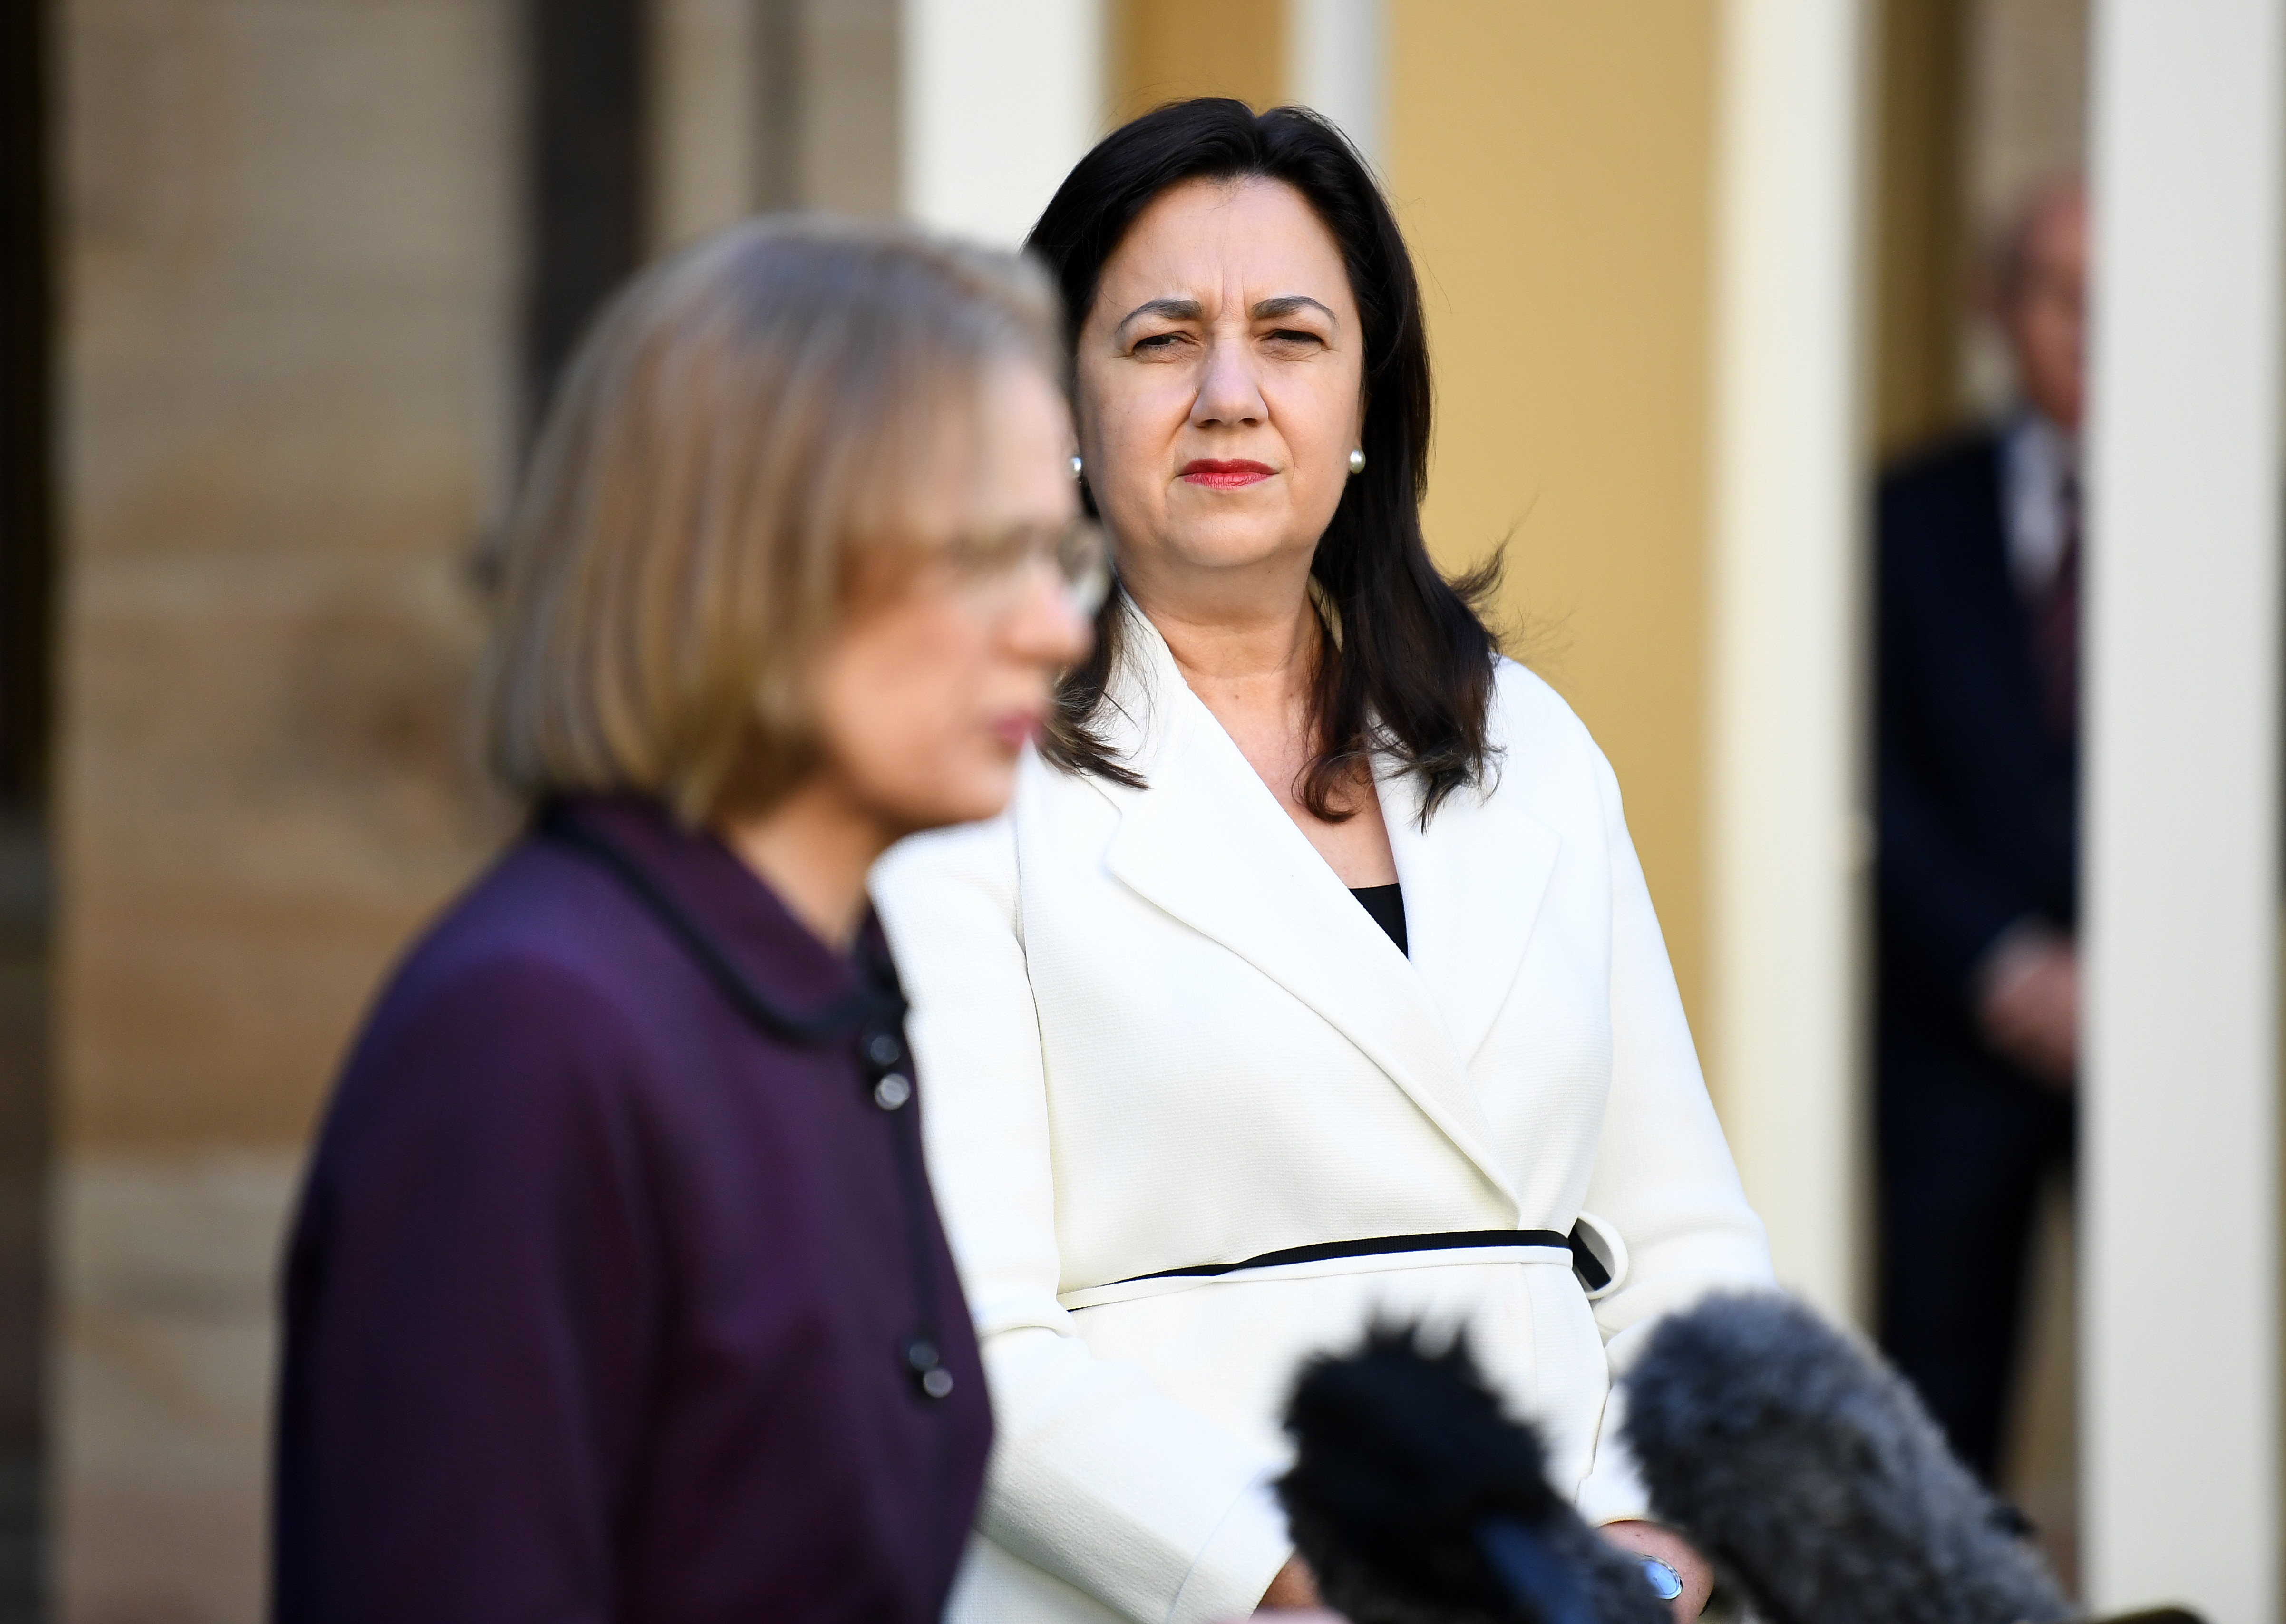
[616,1289]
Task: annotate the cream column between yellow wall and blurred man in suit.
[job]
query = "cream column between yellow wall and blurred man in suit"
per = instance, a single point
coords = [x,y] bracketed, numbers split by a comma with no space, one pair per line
[1789,827]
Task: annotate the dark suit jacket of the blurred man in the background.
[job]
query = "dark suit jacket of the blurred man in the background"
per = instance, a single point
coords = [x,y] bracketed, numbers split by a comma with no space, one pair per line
[1979,802]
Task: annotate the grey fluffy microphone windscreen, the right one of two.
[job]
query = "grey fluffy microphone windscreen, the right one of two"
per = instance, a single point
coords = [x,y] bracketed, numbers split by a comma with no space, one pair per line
[1814,1476]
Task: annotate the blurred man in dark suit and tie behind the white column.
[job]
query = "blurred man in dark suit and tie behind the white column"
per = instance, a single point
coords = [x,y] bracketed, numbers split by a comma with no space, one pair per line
[1979,804]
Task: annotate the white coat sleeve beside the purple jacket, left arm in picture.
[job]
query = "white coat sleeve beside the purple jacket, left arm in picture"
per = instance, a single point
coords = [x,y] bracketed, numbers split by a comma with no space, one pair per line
[1096,1476]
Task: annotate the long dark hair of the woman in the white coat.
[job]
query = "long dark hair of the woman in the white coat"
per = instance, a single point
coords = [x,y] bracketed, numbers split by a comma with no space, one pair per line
[1412,664]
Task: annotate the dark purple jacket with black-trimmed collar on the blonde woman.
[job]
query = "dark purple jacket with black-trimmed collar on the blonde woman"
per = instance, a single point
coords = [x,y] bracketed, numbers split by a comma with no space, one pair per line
[605,1300]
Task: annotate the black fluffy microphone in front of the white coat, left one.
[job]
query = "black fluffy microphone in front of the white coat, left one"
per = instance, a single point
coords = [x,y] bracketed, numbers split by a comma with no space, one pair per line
[1418,1502]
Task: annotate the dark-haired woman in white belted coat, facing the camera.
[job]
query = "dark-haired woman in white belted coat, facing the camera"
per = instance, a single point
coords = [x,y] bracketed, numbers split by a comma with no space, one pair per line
[1311,973]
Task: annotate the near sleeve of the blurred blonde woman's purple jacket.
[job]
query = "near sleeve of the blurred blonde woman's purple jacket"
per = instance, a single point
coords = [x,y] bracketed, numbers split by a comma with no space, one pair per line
[465,1319]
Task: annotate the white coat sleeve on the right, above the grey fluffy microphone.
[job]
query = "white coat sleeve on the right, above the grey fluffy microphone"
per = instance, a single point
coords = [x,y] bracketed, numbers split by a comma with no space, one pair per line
[1663,1175]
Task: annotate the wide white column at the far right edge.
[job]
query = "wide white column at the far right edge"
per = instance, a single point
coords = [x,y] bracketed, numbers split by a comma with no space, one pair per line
[2180,1152]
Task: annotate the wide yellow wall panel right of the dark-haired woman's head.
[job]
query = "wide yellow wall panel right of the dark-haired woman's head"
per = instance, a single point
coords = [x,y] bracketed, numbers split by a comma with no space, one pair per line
[1553,170]
